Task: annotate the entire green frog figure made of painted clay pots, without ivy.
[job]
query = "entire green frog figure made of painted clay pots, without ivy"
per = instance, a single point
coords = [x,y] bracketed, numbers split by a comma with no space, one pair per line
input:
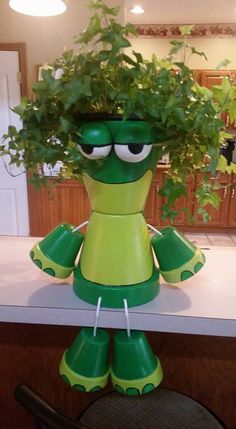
[116,265]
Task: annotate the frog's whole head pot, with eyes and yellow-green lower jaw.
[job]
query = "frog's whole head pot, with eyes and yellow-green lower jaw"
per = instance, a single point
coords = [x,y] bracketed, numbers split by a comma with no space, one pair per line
[119,158]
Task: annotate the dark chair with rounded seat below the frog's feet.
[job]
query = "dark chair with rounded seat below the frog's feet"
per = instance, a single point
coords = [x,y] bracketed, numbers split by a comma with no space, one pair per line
[160,409]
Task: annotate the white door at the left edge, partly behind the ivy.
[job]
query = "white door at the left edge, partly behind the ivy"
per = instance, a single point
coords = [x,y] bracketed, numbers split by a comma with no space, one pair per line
[14,219]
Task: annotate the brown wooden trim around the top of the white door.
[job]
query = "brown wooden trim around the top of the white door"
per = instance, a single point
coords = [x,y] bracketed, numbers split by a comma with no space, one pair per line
[21,49]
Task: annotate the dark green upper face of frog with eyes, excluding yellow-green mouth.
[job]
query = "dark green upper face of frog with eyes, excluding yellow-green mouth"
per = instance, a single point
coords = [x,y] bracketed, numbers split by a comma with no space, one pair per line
[118,151]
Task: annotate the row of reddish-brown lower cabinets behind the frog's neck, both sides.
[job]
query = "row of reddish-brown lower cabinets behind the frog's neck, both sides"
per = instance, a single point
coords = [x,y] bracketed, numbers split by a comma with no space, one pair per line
[68,202]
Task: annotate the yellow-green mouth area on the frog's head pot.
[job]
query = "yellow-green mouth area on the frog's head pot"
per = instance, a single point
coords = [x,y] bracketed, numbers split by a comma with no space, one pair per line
[118,198]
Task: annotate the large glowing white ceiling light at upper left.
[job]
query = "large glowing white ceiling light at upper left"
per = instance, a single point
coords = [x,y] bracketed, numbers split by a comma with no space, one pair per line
[38,7]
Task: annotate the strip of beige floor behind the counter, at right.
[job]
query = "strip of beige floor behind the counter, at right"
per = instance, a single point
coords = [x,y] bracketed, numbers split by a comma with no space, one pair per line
[213,239]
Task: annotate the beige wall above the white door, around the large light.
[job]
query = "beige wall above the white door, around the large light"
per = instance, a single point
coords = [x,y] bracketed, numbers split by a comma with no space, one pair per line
[45,37]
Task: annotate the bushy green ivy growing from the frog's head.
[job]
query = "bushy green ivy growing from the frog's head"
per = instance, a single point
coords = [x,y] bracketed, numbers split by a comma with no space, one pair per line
[99,77]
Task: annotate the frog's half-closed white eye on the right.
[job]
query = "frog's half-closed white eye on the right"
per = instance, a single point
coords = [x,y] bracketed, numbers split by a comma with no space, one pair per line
[134,152]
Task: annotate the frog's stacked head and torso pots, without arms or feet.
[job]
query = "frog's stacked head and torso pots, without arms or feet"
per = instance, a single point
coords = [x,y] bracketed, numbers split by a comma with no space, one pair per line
[116,261]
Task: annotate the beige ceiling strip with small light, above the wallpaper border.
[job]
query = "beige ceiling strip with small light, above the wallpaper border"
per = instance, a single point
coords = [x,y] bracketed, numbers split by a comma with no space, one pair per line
[182,11]
